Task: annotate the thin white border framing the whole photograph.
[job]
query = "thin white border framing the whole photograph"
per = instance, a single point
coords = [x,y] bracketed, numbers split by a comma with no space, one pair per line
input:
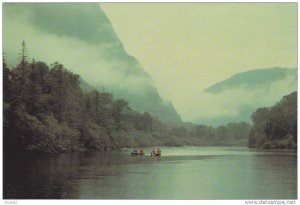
[131,202]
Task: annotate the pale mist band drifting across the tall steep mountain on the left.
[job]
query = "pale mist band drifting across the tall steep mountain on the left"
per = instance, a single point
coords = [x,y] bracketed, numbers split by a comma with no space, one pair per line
[93,62]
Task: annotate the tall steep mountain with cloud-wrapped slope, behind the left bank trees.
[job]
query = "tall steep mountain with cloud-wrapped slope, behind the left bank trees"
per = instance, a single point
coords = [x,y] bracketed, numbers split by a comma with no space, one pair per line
[81,36]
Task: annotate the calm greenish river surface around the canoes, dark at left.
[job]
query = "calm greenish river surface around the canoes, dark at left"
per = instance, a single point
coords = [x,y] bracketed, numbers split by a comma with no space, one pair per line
[180,173]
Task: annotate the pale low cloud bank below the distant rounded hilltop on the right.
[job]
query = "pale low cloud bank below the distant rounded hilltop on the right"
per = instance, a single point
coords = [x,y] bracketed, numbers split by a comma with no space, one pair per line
[237,103]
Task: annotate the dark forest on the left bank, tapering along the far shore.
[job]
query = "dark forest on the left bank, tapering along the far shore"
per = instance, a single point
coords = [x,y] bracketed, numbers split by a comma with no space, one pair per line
[46,110]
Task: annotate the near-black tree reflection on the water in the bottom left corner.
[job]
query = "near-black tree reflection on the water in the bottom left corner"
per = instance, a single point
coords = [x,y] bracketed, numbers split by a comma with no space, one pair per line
[39,177]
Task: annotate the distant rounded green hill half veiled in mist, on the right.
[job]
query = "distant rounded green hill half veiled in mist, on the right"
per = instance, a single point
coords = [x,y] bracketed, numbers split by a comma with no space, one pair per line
[237,97]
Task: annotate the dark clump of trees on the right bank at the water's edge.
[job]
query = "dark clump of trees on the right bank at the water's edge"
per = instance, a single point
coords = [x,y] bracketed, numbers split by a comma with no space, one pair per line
[275,127]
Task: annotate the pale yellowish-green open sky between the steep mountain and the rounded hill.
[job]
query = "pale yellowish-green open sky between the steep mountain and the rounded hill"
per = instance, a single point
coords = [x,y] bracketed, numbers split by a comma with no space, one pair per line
[188,47]
